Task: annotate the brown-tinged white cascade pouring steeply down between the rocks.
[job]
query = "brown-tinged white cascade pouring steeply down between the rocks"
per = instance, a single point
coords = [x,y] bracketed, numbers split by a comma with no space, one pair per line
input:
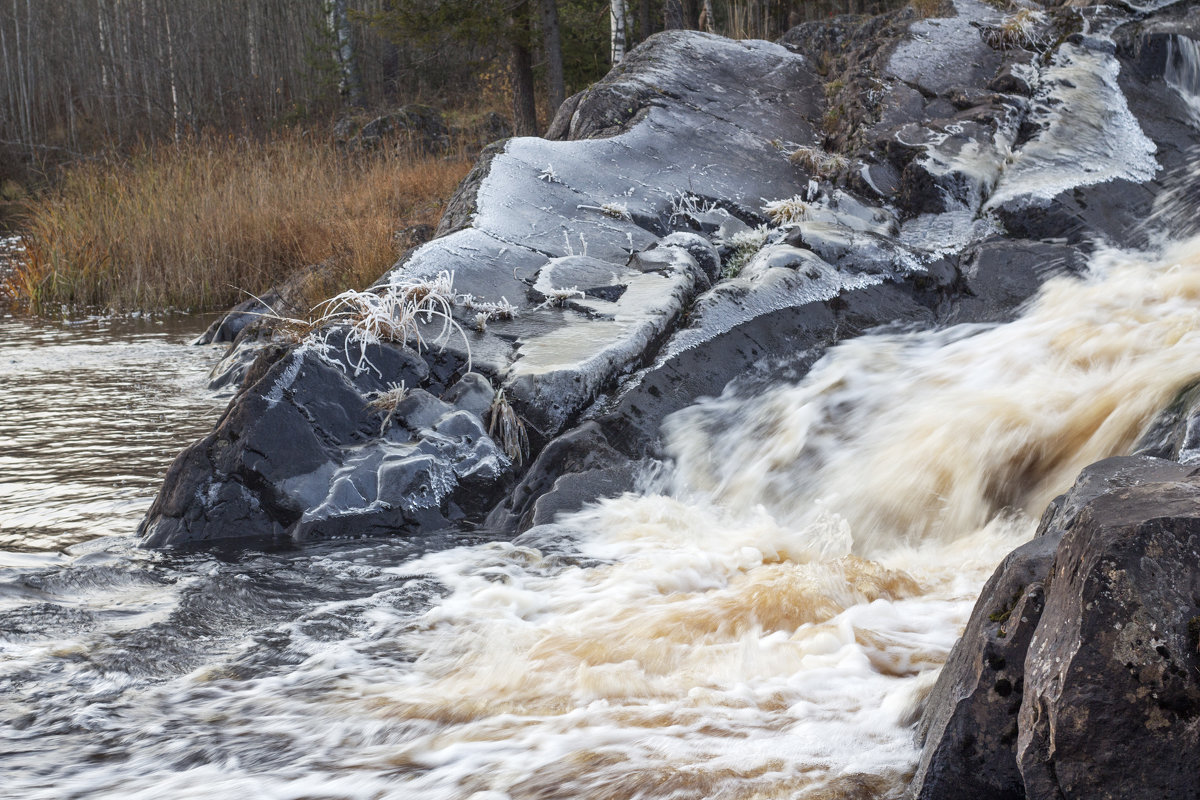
[934,434]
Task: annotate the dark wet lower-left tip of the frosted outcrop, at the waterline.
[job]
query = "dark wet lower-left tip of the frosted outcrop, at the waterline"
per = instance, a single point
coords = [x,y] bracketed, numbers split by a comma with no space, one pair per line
[302,454]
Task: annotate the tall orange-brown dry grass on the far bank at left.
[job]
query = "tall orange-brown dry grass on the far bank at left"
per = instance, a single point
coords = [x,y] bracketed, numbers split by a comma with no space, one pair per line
[197,225]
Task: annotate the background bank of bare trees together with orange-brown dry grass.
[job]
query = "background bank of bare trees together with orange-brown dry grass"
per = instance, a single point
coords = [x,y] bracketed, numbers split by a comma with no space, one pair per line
[181,154]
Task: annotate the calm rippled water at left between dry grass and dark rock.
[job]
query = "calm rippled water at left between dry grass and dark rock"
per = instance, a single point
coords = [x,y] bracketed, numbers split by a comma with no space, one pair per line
[92,413]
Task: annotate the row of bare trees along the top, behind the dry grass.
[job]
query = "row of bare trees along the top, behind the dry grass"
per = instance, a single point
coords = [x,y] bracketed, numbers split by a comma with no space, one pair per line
[80,75]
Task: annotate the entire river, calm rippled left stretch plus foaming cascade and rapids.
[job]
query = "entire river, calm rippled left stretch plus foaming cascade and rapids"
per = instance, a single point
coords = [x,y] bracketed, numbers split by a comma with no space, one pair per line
[761,622]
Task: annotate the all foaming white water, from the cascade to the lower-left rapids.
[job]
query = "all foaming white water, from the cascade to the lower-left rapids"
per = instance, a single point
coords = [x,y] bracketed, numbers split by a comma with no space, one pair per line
[763,625]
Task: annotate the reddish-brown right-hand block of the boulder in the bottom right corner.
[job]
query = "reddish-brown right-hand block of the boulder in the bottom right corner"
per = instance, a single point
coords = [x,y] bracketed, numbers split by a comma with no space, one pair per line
[1113,673]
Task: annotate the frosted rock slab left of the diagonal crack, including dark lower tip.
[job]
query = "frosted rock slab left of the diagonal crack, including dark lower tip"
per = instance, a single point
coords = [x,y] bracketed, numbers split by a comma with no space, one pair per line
[566,278]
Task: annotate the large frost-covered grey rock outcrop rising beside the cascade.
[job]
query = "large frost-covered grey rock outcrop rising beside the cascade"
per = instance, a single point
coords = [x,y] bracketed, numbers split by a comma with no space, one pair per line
[709,216]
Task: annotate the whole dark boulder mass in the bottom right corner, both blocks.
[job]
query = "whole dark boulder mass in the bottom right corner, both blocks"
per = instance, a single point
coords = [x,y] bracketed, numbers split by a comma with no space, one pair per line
[1081,655]
